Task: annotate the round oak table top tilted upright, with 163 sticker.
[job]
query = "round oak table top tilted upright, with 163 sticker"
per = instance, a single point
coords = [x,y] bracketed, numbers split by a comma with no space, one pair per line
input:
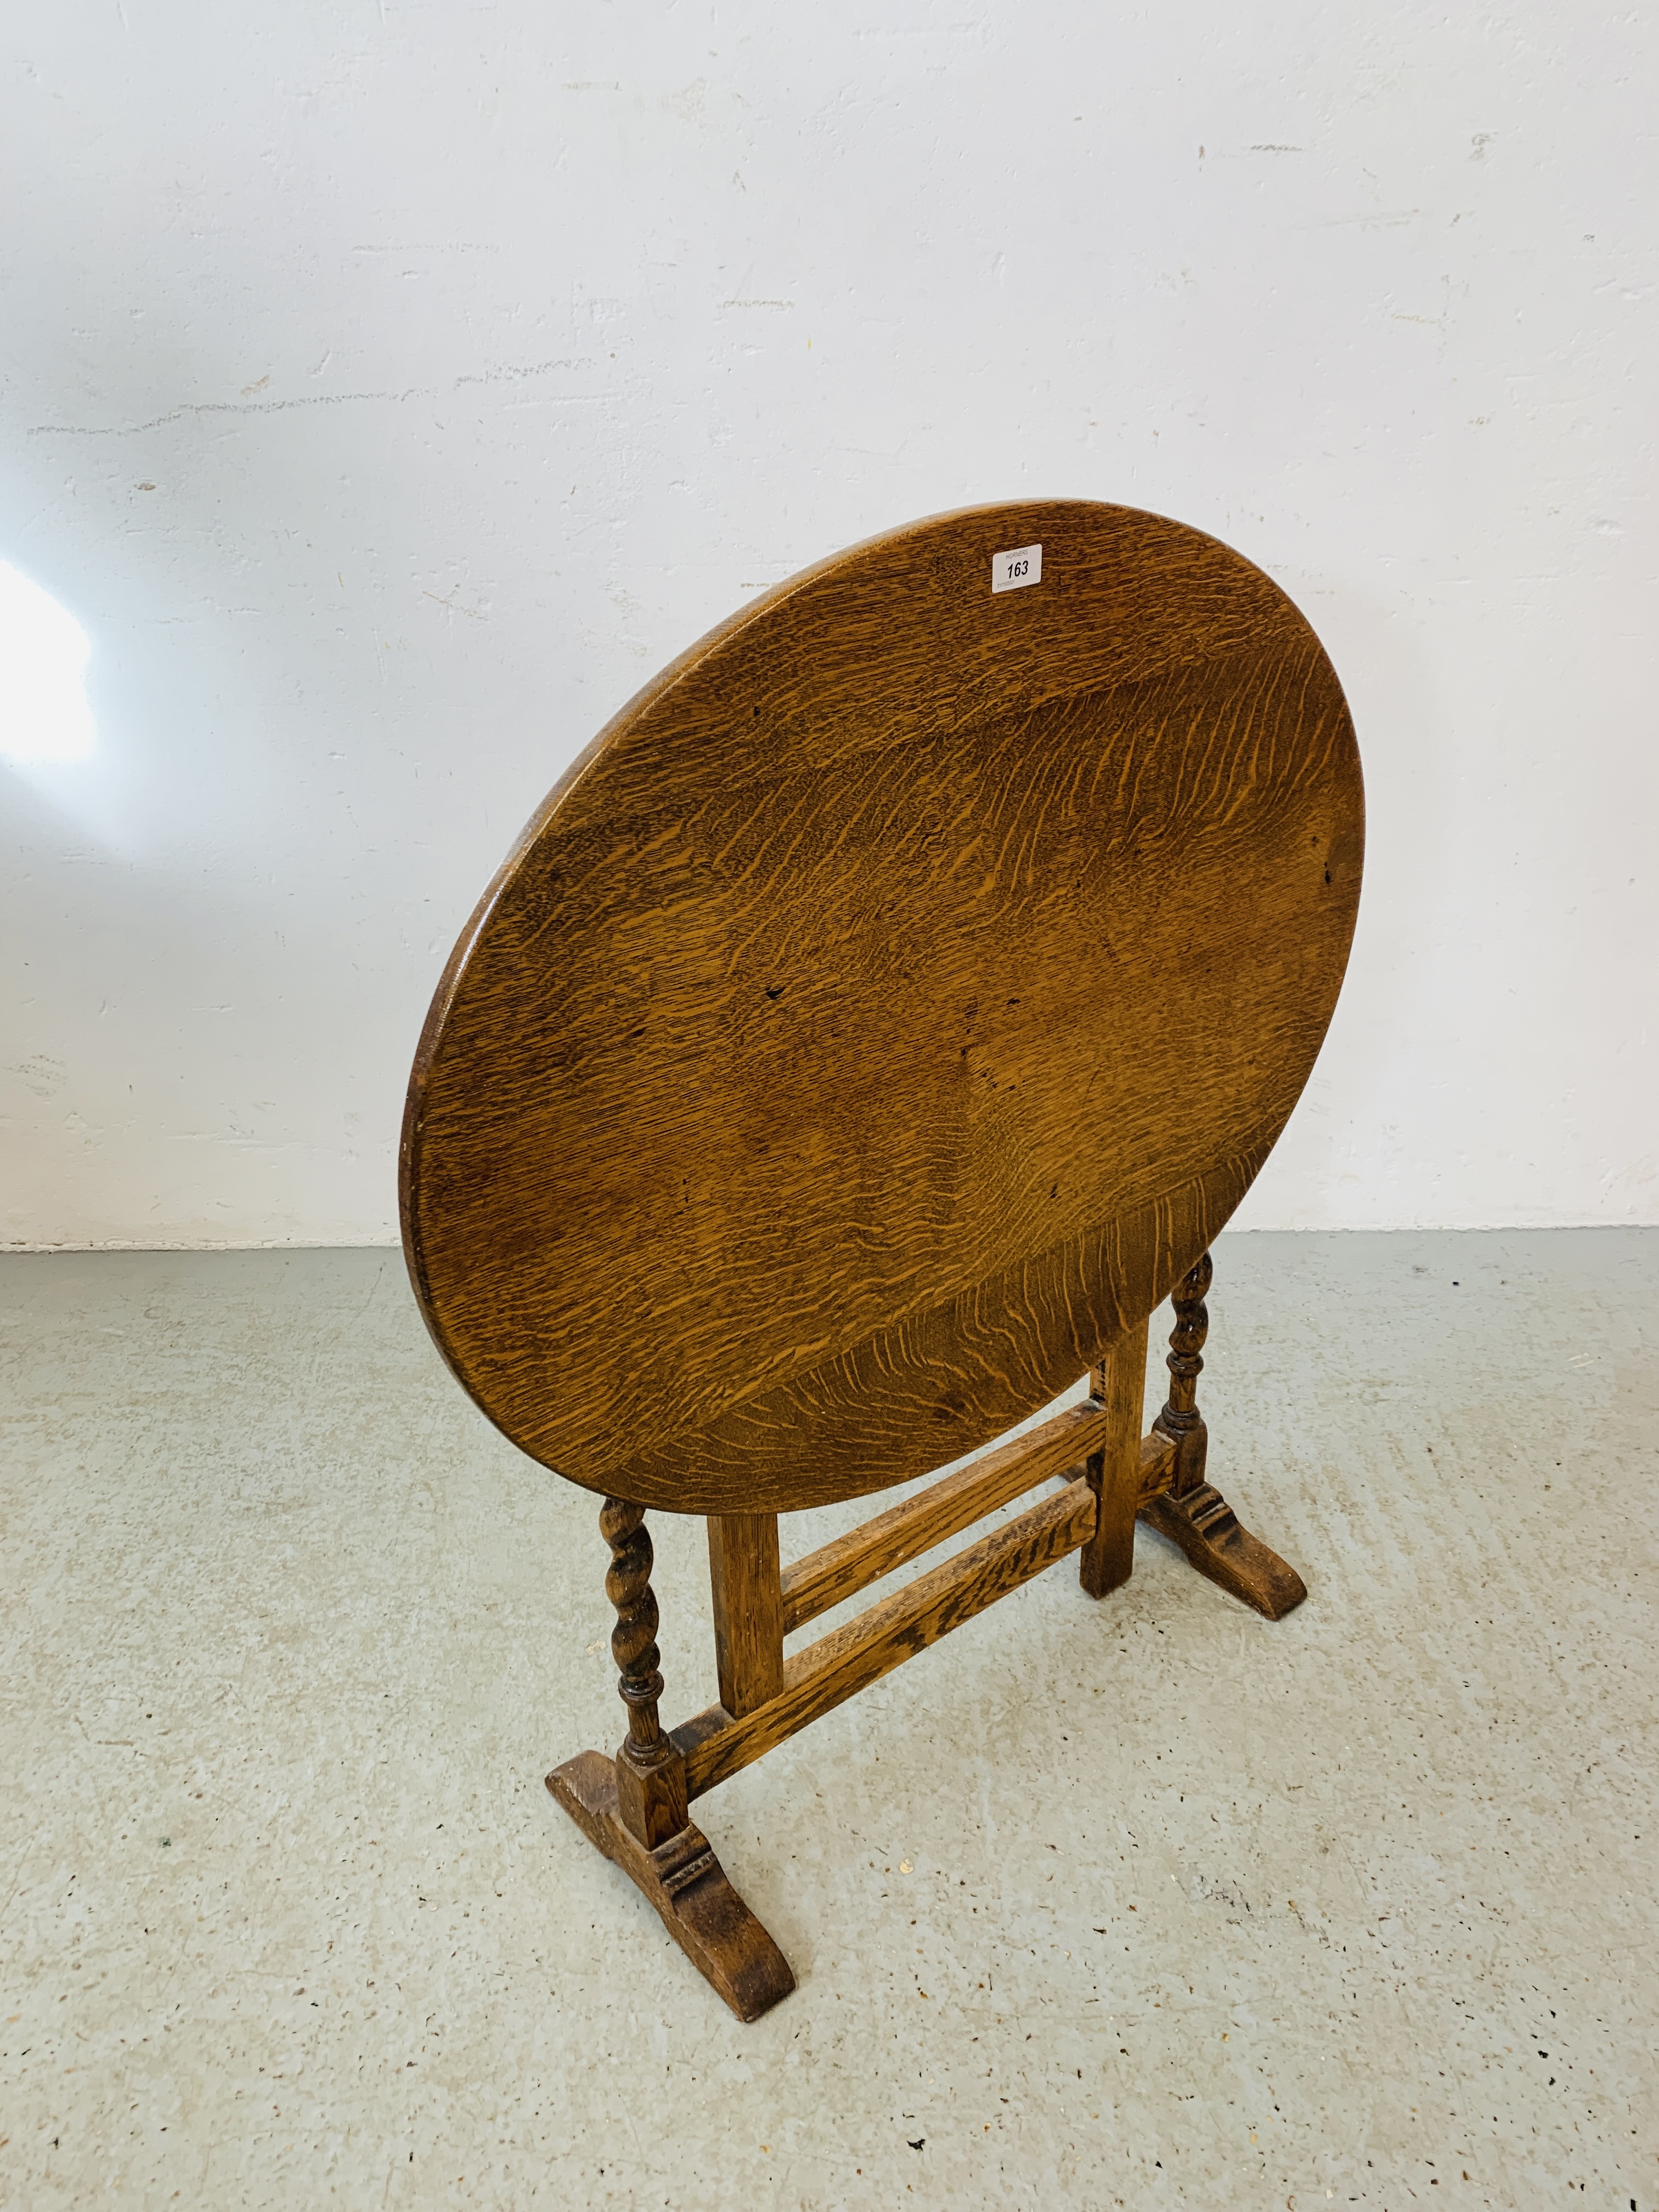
[886,1010]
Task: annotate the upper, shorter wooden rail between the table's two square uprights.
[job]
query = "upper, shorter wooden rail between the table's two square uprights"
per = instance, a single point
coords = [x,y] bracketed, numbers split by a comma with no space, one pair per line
[906,1532]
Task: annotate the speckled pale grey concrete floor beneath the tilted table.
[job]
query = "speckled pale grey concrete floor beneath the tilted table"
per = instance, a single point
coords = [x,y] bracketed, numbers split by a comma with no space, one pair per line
[1145,1903]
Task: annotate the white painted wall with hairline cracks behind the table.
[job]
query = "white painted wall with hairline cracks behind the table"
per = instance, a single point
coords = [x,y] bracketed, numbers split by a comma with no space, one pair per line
[393,388]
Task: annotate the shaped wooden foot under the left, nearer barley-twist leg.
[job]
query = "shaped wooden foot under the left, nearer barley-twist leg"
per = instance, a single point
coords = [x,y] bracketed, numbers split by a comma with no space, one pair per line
[689,1888]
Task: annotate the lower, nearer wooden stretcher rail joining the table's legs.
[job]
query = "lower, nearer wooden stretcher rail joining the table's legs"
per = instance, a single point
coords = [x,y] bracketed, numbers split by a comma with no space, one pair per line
[848,1660]
